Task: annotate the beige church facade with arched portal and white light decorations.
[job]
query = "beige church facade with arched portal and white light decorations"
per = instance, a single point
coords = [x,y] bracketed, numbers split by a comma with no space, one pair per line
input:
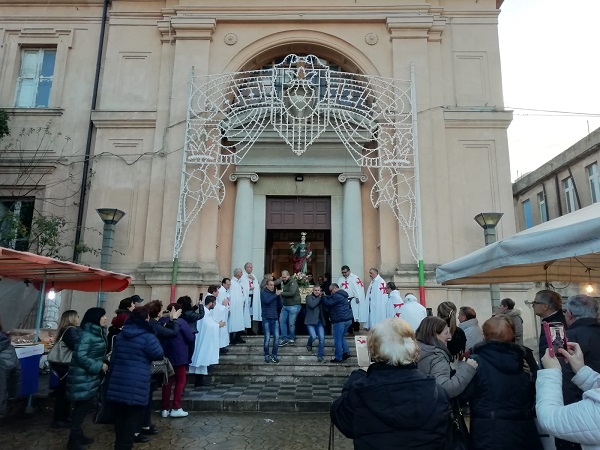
[224,130]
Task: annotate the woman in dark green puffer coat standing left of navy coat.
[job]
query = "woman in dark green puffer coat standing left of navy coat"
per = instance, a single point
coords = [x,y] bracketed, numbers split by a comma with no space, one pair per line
[85,373]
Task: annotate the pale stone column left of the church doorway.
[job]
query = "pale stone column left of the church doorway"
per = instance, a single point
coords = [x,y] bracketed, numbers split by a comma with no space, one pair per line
[241,249]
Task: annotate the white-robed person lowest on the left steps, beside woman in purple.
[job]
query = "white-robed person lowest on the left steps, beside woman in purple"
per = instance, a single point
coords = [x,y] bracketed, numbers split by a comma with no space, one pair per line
[206,350]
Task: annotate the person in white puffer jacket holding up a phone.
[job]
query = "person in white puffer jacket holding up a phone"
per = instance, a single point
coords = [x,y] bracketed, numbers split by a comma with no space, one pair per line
[578,422]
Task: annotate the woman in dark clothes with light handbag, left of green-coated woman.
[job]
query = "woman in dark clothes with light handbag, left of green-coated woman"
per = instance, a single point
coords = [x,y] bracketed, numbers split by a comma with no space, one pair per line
[69,333]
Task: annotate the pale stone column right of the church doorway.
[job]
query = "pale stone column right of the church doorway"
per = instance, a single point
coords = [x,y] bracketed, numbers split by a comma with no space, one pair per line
[352,234]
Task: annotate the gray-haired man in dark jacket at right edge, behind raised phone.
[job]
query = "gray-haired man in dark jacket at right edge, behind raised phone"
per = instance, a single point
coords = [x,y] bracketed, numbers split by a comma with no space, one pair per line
[581,314]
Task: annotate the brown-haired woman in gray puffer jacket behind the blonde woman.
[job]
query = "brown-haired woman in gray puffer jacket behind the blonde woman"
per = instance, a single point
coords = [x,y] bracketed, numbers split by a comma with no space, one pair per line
[432,336]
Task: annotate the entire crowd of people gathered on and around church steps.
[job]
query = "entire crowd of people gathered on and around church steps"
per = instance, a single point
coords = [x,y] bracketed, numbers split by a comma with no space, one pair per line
[426,371]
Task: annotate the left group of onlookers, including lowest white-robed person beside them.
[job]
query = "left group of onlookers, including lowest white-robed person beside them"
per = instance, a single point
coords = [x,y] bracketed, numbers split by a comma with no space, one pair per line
[146,347]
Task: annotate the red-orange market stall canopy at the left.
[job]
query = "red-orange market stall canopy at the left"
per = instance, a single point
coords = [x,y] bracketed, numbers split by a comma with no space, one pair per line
[59,274]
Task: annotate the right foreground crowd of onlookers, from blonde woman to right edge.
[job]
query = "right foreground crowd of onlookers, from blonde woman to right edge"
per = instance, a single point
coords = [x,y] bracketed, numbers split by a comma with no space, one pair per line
[415,391]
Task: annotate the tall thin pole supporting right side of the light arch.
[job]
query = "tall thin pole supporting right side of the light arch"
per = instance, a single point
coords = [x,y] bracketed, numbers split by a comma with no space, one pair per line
[418,212]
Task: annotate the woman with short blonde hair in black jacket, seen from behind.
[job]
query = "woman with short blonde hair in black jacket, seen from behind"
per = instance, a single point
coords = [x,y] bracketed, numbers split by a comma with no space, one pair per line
[392,405]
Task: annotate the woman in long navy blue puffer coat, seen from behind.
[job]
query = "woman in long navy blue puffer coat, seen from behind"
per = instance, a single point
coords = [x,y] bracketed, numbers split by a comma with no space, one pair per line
[128,388]
